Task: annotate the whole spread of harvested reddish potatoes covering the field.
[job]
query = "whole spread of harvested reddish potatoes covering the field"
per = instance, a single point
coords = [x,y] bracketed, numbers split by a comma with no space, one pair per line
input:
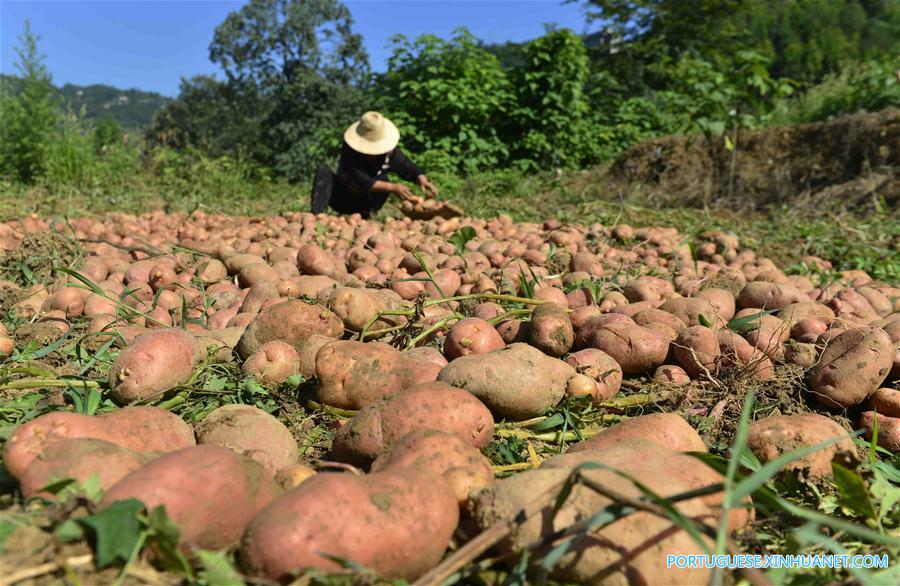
[431,339]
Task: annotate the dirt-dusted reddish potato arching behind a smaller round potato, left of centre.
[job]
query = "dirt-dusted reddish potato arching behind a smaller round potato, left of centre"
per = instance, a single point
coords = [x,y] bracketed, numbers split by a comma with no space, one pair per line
[291,321]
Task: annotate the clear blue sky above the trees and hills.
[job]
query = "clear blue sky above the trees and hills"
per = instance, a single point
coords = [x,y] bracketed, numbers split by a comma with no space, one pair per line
[150,45]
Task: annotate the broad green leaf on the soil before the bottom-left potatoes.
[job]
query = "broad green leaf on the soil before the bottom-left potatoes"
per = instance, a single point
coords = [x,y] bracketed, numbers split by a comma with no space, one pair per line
[116,531]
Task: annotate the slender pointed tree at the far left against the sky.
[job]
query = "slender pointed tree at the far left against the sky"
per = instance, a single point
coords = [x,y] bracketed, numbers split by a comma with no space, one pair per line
[27,118]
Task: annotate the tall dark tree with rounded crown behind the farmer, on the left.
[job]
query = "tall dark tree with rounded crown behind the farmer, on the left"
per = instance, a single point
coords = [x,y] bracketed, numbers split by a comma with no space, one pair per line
[295,76]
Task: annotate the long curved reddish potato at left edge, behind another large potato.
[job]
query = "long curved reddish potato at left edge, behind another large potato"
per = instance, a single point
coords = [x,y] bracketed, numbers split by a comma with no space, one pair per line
[141,429]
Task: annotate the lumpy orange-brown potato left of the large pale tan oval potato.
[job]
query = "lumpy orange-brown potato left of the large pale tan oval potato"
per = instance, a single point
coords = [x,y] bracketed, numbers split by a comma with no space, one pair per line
[353,375]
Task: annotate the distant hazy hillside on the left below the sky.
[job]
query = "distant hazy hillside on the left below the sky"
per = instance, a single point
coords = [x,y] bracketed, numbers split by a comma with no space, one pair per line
[132,109]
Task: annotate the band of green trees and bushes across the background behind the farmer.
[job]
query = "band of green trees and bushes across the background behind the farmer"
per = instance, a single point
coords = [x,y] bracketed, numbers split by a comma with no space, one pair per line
[296,74]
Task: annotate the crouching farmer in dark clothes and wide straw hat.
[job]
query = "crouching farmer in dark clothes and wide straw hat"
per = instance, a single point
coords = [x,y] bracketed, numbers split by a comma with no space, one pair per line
[368,154]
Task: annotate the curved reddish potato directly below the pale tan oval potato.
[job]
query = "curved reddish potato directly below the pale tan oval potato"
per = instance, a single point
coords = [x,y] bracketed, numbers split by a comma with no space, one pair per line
[427,406]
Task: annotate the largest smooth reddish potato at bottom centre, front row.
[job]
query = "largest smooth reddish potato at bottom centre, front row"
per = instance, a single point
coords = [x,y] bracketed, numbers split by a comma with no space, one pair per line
[398,523]
